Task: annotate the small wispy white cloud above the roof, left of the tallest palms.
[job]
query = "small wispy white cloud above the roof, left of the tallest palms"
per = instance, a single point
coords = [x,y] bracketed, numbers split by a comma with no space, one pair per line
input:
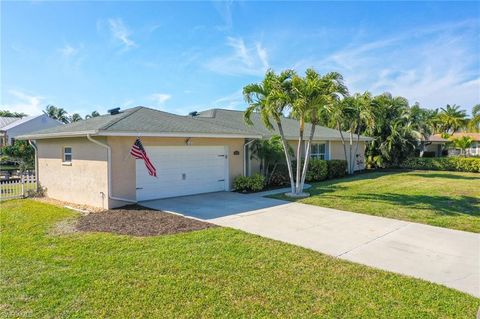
[243,60]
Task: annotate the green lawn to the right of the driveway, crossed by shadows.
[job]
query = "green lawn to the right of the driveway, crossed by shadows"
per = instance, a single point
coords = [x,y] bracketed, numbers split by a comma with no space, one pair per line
[444,199]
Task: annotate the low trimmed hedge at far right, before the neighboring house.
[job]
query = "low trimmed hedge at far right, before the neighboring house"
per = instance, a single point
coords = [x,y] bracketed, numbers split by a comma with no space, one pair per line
[460,164]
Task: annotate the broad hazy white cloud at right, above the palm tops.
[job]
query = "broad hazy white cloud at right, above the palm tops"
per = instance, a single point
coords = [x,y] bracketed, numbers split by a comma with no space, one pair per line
[434,65]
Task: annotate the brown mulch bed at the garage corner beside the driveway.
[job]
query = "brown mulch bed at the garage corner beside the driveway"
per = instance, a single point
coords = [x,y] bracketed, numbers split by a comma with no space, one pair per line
[136,220]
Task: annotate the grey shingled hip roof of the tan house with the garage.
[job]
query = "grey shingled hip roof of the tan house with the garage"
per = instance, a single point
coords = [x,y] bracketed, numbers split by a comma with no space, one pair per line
[147,121]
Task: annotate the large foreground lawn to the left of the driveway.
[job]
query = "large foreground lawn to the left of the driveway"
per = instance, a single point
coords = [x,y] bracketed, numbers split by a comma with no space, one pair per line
[218,272]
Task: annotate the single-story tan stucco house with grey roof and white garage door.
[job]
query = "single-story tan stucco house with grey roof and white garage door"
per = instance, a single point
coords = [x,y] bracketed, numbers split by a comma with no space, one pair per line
[88,162]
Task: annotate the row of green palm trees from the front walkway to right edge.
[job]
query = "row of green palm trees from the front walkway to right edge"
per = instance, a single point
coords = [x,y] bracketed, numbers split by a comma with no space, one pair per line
[396,127]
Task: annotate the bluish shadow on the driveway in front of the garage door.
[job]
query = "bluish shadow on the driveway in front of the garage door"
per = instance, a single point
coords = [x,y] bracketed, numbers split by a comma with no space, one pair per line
[213,205]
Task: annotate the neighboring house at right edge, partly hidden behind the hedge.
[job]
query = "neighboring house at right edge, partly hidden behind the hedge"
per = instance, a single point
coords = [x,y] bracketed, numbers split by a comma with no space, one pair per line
[437,145]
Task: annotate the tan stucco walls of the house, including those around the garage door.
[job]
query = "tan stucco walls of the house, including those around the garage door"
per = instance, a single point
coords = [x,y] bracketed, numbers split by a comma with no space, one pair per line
[87,177]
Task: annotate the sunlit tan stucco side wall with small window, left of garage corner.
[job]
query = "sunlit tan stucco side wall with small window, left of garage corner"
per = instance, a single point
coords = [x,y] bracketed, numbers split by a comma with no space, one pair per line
[83,181]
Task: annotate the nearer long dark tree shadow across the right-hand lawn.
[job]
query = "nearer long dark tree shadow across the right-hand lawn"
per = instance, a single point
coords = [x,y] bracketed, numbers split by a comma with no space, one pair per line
[442,205]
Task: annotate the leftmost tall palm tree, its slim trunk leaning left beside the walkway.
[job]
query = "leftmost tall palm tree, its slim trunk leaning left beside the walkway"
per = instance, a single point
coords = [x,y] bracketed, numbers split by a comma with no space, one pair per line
[270,98]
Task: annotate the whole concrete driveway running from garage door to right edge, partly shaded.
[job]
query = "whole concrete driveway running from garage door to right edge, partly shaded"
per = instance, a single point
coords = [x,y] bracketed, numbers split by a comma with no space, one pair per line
[440,255]
